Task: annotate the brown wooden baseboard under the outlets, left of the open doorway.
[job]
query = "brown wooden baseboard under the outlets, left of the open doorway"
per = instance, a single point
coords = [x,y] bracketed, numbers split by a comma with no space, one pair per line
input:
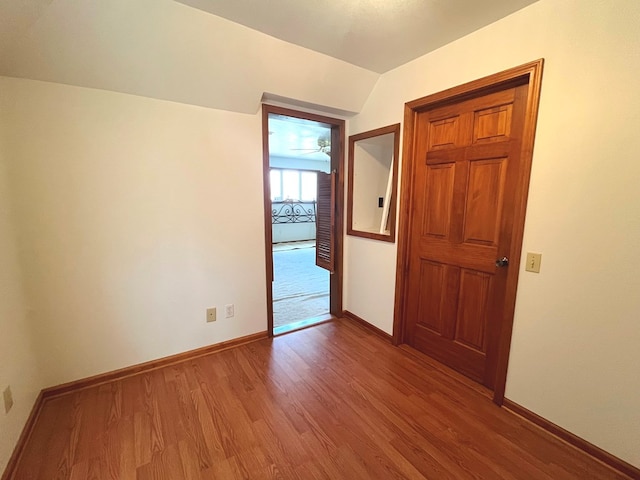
[114,375]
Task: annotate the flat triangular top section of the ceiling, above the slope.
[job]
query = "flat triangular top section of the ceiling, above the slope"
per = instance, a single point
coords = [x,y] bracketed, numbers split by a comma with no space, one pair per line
[378,35]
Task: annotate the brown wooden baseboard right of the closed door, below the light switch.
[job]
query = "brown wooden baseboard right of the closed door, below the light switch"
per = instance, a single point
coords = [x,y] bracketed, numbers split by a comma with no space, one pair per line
[588,448]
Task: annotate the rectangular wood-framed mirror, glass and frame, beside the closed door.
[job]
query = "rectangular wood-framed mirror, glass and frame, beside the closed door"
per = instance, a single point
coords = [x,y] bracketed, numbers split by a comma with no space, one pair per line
[371,193]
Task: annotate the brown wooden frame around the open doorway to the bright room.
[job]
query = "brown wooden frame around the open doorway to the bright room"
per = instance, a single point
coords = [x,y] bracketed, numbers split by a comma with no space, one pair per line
[337,165]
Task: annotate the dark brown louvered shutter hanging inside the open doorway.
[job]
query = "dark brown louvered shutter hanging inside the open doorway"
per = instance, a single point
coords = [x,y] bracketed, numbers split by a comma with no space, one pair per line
[325,220]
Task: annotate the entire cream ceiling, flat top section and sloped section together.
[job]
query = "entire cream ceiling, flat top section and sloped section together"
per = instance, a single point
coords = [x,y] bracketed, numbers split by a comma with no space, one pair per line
[230,54]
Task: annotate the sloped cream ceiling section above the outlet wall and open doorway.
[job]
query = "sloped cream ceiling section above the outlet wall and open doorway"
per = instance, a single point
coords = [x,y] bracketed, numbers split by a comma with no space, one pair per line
[167,50]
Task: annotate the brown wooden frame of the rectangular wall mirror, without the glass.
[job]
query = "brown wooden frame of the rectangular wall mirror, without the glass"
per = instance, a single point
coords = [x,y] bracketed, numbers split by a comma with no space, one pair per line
[391,236]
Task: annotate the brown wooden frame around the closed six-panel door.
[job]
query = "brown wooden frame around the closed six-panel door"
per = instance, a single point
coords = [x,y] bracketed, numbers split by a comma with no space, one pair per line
[531,74]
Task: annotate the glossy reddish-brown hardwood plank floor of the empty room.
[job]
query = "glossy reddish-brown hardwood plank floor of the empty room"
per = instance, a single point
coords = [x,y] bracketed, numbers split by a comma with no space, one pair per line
[329,402]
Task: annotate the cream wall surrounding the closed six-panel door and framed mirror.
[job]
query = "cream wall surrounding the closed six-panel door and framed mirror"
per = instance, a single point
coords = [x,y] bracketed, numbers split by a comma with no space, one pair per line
[575,355]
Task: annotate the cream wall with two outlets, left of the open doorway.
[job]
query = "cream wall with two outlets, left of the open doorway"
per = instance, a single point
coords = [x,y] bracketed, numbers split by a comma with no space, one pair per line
[133,216]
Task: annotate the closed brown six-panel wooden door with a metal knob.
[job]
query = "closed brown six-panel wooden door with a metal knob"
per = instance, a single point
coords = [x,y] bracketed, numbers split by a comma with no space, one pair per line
[466,181]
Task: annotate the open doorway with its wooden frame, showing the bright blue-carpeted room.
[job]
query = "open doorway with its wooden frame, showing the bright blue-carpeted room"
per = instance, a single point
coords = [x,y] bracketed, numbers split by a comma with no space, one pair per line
[301,150]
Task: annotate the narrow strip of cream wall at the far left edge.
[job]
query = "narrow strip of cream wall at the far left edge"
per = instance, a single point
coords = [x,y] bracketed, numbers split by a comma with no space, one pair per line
[18,364]
